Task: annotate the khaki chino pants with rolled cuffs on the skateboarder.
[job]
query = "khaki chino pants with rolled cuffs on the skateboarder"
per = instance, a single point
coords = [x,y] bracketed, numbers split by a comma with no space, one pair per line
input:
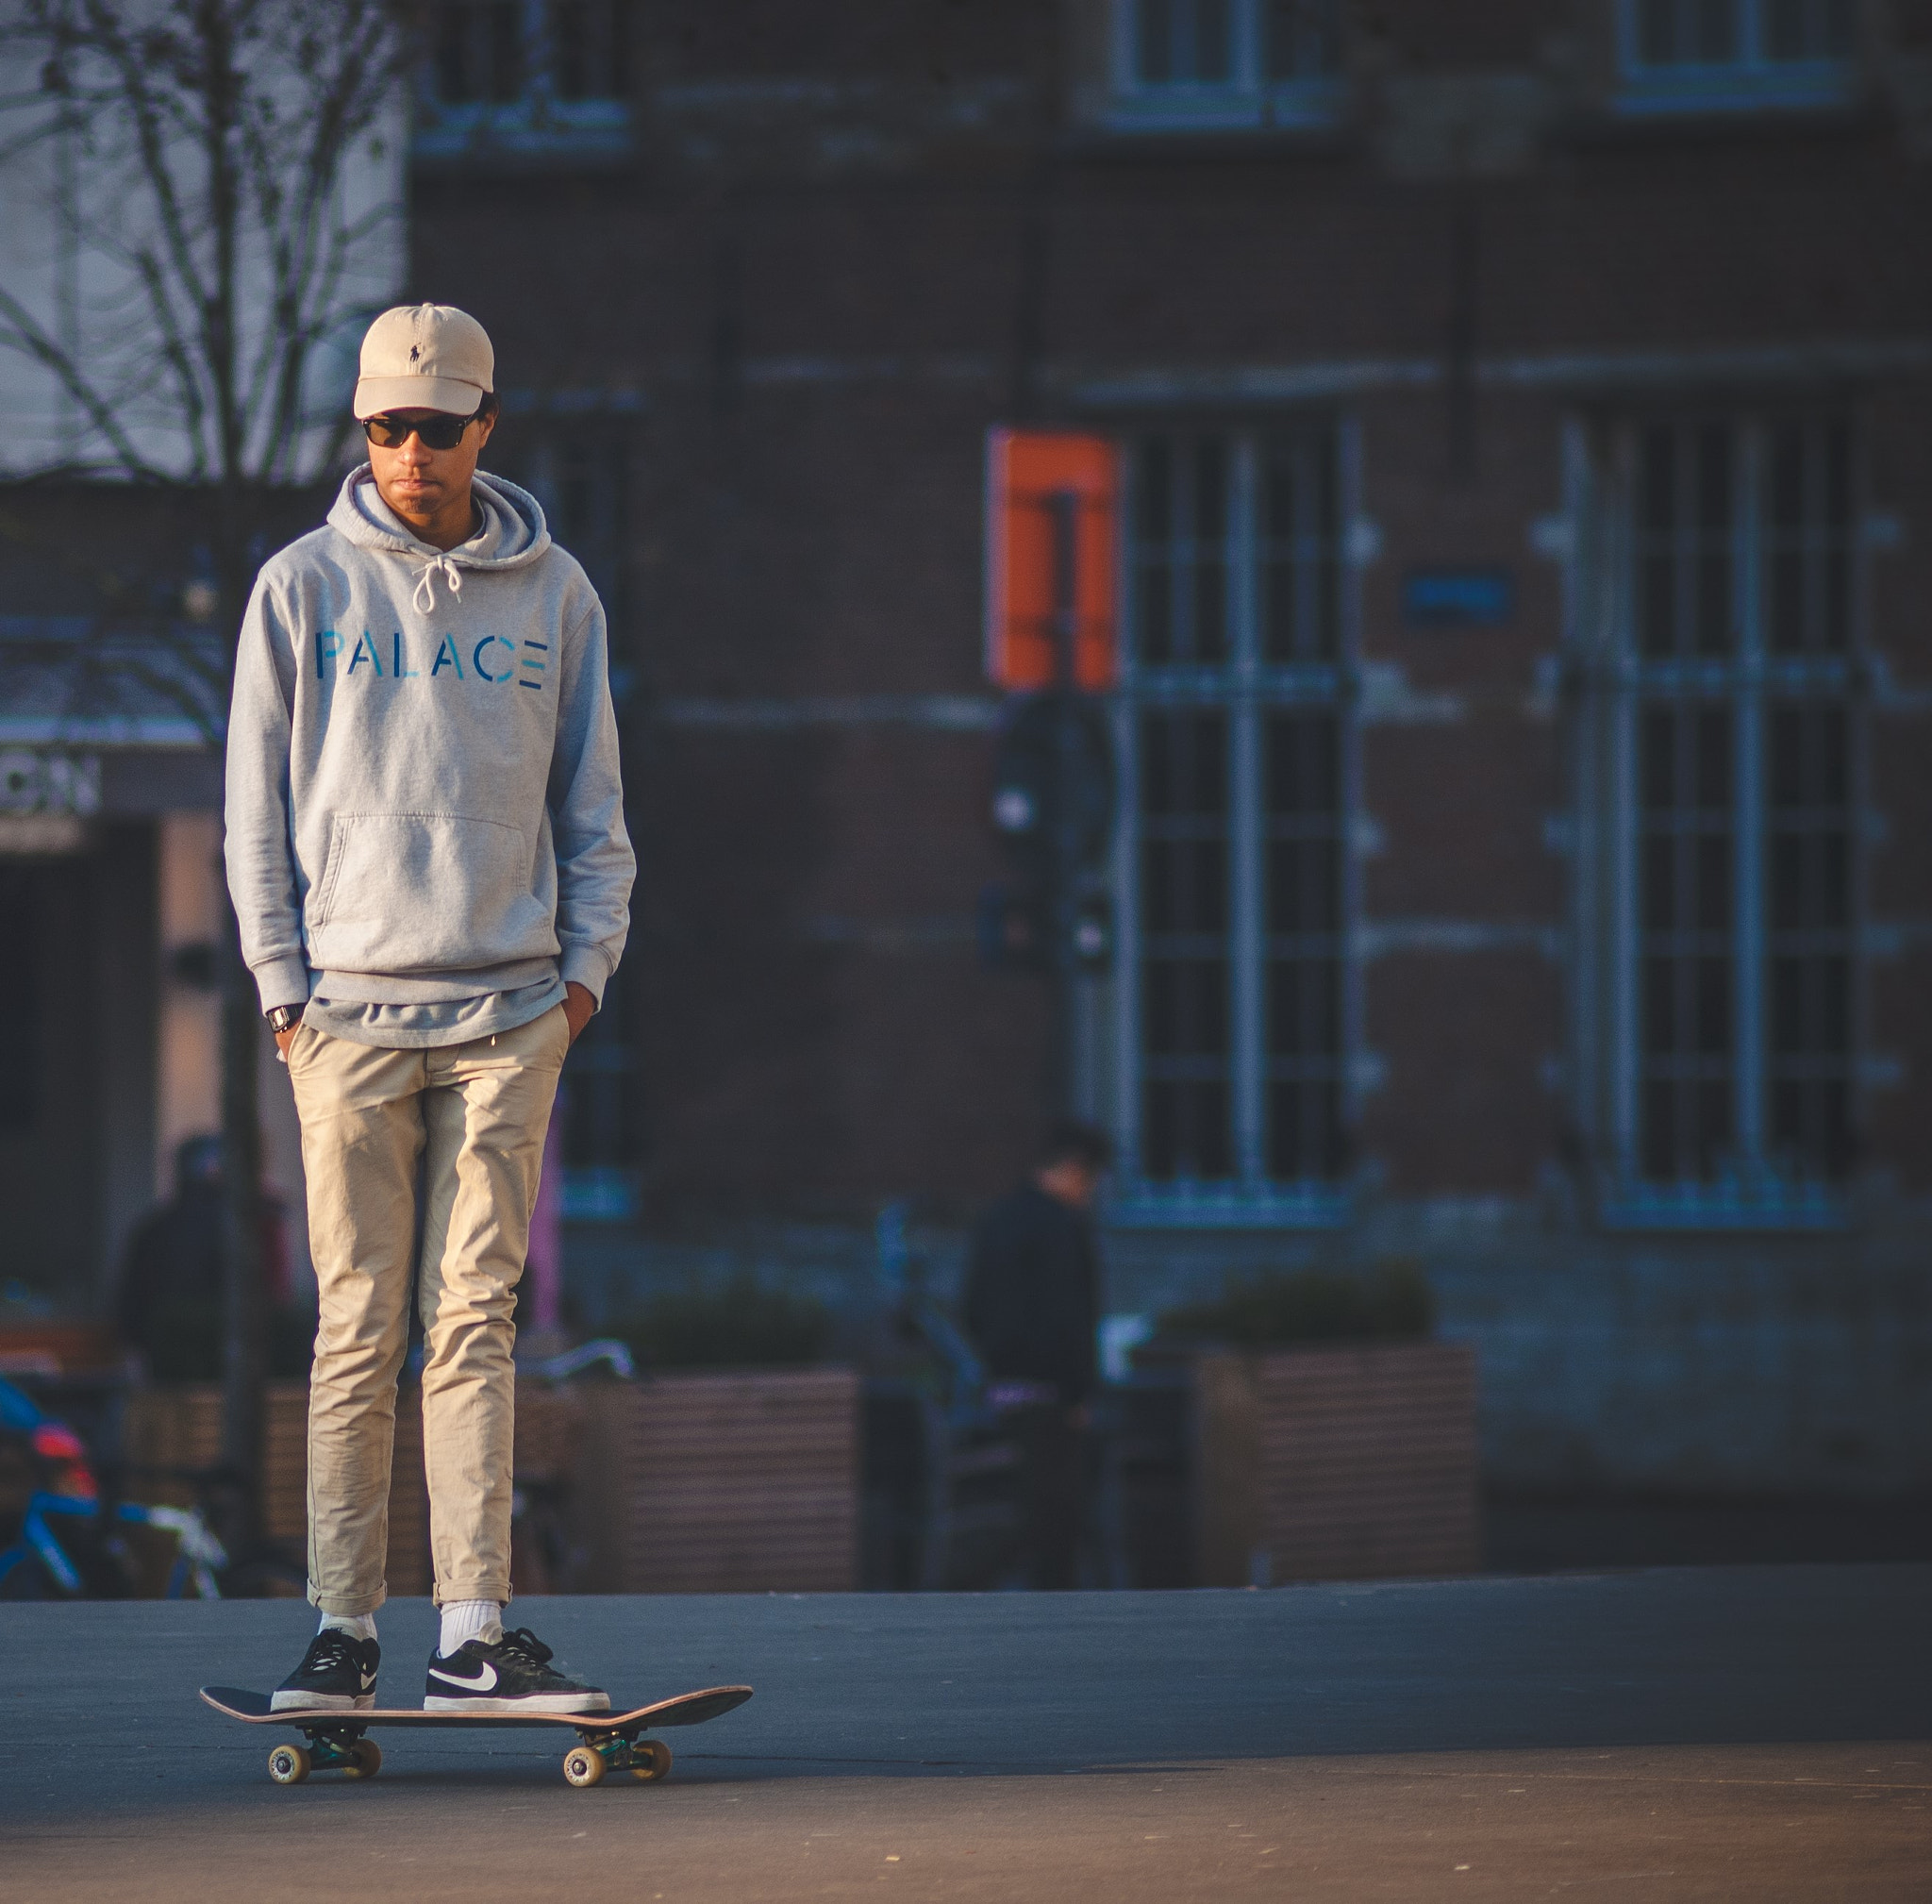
[467,1122]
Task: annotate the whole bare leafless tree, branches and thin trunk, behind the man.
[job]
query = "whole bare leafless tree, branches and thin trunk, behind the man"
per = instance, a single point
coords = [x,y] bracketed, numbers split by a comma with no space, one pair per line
[233,127]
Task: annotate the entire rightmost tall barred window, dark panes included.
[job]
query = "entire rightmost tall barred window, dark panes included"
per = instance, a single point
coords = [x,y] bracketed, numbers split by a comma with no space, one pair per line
[1730,726]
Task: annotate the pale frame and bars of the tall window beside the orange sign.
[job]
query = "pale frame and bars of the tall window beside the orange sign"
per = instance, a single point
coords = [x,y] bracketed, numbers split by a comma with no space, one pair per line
[1249,689]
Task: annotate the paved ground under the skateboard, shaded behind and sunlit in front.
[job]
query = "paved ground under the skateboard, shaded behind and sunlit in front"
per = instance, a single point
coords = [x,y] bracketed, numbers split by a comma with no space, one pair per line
[1680,1735]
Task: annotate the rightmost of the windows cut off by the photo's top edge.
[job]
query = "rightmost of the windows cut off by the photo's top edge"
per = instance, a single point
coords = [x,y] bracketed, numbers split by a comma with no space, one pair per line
[1717,55]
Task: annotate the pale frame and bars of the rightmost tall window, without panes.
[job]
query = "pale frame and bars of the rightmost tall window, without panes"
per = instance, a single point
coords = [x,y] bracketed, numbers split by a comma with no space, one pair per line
[1618,681]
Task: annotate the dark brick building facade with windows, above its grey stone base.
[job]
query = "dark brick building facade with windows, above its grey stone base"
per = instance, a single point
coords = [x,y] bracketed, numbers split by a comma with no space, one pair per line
[1521,411]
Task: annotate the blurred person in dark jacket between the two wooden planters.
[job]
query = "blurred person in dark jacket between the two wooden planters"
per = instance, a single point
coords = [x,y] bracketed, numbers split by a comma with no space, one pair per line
[1033,1310]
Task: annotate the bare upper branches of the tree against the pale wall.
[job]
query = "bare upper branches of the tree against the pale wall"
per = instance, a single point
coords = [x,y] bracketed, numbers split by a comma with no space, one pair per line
[237,121]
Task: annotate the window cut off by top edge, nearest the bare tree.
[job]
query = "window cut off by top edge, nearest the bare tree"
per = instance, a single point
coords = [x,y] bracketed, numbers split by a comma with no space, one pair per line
[540,76]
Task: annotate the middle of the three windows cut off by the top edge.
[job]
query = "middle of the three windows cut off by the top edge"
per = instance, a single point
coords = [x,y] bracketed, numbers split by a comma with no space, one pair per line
[1226,63]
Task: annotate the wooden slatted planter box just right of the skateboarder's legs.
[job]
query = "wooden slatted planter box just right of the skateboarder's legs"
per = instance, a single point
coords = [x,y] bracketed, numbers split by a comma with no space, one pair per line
[722,1484]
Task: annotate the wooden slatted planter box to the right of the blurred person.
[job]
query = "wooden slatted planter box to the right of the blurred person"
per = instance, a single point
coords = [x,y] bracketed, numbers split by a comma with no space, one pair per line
[1350,1462]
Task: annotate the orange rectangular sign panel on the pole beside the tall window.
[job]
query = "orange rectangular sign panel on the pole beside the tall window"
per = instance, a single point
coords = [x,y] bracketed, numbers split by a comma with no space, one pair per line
[1027,471]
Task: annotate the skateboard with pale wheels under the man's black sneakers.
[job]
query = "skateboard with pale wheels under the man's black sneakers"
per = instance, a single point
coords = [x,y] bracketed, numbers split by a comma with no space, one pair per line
[608,1743]
